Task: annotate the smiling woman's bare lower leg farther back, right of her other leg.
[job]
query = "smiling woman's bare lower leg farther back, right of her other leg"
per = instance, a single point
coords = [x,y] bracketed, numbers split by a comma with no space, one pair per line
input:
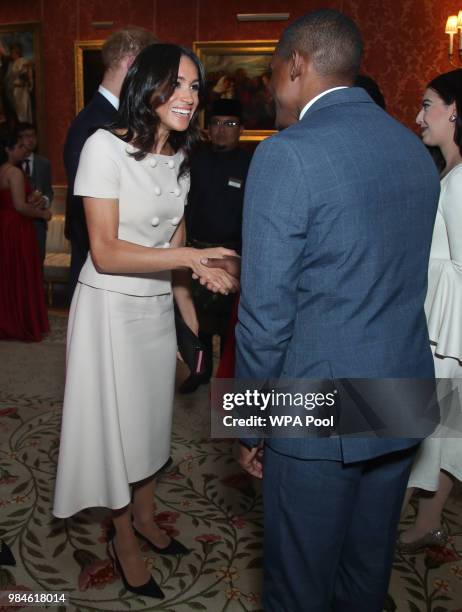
[143,511]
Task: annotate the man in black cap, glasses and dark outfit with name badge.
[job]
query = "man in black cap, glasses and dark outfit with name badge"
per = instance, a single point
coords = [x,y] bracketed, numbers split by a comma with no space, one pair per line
[214,218]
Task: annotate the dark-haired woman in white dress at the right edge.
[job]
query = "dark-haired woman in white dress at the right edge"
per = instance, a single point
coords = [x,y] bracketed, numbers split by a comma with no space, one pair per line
[439,461]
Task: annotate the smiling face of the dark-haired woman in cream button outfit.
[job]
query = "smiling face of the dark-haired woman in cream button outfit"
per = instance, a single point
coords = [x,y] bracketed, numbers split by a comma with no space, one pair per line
[177,112]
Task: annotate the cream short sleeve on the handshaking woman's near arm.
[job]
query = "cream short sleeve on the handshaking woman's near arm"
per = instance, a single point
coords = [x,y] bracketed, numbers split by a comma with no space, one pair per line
[98,174]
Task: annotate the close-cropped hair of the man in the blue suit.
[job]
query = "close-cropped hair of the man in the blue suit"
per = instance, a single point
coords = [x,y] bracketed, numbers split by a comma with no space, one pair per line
[329,38]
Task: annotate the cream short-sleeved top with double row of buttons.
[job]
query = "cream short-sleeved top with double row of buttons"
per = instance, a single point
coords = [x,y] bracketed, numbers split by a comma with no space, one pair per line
[151,204]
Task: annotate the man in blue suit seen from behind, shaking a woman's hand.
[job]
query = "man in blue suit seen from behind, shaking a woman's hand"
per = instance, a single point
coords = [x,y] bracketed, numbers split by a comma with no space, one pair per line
[338,217]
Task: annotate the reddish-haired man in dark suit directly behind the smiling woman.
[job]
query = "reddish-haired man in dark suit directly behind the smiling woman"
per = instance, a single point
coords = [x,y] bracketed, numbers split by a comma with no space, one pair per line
[118,53]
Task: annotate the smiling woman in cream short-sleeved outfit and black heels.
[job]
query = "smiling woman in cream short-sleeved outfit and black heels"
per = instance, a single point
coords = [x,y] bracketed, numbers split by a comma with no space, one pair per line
[121,353]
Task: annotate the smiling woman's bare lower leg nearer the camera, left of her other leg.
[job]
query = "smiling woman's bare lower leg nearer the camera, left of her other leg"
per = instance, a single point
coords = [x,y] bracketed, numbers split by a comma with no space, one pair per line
[127,548]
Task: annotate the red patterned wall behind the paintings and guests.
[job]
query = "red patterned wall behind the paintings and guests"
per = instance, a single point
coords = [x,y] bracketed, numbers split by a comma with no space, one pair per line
[405,41]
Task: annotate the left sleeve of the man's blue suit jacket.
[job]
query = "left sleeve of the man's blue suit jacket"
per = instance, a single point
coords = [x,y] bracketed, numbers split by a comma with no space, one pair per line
[274,239]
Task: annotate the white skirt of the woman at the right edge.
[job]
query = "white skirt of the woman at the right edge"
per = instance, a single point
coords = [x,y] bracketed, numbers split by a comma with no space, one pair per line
[443,449]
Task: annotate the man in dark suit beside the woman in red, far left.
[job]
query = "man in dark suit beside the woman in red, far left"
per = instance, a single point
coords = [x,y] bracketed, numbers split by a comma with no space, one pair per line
[38,171]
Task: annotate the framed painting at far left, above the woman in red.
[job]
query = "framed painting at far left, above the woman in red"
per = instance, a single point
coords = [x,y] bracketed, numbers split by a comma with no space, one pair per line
[21,98]
